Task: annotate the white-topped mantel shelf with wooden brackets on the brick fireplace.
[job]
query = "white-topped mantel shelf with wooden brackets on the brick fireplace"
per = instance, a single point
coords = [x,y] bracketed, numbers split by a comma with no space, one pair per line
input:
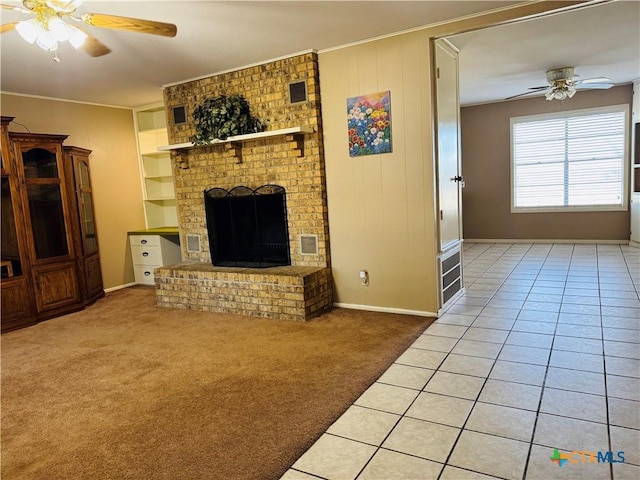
[295,137]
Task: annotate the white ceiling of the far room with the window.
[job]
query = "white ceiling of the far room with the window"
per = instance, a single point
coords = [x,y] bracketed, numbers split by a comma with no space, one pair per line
[599,41]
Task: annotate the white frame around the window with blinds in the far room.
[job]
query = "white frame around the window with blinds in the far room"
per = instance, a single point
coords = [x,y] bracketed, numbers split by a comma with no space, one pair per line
[620,108]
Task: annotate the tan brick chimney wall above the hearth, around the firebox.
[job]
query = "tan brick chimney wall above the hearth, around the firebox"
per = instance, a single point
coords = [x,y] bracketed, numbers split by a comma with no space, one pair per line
[273,160]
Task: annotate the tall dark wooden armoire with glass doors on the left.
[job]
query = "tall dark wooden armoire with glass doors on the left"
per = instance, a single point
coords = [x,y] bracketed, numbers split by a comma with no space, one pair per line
[50,258]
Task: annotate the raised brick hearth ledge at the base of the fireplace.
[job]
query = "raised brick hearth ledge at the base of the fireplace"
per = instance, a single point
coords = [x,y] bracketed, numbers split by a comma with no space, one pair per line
[289,293]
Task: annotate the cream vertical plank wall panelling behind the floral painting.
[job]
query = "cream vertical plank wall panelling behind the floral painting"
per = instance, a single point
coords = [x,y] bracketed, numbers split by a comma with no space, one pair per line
[381,206]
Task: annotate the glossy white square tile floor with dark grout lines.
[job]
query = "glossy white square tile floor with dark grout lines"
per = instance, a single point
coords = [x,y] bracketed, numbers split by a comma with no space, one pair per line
[541,353]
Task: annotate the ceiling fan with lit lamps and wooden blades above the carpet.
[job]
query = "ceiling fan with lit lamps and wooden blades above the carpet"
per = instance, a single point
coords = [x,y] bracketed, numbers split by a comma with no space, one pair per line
[48,27]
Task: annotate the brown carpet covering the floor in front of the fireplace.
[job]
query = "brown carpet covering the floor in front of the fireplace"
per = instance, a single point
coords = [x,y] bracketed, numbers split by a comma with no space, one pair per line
[128,390]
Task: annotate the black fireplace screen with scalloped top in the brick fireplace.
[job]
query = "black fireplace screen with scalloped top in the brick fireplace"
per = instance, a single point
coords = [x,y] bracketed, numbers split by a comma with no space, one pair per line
[248,228]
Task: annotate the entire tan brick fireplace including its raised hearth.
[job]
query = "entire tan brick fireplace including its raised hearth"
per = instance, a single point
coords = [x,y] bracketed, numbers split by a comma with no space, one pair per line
[293,160]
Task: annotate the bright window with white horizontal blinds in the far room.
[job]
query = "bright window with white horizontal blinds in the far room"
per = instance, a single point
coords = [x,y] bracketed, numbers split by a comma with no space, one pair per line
[574,160]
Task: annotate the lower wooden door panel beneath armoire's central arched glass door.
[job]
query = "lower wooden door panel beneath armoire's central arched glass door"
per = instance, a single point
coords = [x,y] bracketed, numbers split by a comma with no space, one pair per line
[56,286]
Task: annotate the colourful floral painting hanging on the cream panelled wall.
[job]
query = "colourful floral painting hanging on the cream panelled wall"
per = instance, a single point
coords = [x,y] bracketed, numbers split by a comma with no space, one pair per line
[369,121]
